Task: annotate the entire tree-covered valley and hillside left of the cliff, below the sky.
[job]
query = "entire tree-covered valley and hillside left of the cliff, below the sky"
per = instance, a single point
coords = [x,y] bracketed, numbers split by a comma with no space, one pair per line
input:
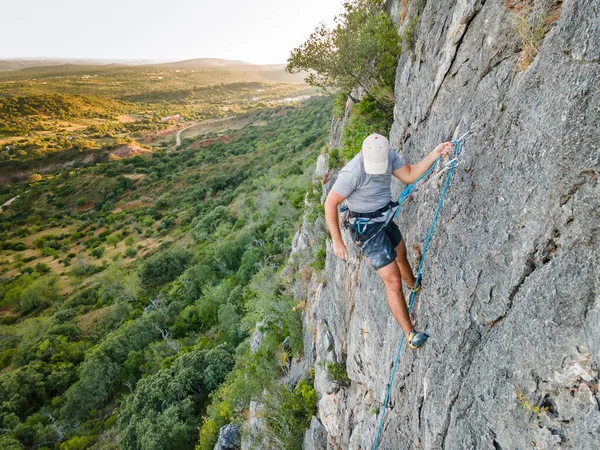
[131,280]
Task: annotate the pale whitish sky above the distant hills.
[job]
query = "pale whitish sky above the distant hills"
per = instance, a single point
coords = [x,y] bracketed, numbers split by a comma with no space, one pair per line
[257,31]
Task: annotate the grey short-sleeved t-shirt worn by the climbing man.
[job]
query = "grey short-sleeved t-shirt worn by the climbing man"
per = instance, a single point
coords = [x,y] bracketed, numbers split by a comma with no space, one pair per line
[364,192]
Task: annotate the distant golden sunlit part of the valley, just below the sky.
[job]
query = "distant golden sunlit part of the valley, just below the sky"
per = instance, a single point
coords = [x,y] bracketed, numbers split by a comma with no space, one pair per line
[47,110]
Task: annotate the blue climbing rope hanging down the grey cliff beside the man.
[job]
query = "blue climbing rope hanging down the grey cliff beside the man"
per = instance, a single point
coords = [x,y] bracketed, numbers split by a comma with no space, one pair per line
[407,193]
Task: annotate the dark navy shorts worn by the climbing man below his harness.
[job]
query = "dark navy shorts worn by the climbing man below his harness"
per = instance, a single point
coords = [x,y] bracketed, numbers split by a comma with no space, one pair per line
[378,243]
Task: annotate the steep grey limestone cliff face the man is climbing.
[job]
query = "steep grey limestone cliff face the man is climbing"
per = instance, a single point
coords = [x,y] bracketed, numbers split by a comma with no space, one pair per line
[512,276]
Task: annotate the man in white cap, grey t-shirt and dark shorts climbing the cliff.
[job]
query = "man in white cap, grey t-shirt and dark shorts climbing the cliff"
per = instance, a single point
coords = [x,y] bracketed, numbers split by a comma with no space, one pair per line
[365,185]
